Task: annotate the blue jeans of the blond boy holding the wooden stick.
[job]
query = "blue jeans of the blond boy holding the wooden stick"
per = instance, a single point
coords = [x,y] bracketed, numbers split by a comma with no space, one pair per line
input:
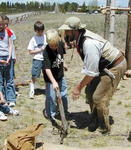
[51,102]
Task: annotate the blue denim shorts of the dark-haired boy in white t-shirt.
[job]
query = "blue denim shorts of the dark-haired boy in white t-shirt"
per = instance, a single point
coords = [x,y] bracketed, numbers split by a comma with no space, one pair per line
[36,68]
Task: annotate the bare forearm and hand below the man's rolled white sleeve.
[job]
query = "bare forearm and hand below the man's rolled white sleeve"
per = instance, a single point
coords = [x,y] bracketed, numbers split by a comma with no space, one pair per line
[77,90]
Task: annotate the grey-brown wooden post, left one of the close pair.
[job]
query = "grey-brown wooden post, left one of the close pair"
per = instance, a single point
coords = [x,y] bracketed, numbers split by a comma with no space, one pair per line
[107,21]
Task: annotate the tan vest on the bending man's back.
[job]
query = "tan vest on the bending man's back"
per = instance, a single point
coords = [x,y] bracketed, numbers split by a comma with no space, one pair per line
[109,52]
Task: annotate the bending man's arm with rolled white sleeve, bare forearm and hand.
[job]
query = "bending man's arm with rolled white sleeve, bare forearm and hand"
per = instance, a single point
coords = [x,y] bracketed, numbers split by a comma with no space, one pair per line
[90,67]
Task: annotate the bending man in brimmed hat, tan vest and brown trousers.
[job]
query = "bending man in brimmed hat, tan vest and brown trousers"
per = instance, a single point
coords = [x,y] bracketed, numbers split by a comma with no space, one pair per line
[104,65]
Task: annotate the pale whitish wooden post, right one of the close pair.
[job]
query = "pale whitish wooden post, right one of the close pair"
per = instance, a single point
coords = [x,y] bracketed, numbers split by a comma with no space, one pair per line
[112,23]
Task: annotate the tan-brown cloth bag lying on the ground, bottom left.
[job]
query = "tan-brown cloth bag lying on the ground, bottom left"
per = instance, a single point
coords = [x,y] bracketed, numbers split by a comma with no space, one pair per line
[24,139]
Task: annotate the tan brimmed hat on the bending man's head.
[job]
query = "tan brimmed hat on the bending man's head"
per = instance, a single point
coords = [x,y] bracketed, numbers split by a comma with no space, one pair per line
[72,23]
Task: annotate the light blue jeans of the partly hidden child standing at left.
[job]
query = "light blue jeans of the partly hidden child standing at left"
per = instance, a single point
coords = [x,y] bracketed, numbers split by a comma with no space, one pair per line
[10,94]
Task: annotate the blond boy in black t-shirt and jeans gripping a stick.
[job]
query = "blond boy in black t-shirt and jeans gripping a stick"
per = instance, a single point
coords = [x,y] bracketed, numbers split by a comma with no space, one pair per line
[54,73]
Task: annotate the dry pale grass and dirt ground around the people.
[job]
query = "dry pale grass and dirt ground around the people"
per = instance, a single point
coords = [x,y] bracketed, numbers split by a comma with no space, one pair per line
[31,111]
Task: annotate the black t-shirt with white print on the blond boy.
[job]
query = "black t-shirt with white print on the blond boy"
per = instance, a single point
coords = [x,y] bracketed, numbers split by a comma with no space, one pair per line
[53,60]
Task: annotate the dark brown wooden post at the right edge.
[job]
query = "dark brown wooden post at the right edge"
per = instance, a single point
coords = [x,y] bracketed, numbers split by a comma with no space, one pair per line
[128,43]
